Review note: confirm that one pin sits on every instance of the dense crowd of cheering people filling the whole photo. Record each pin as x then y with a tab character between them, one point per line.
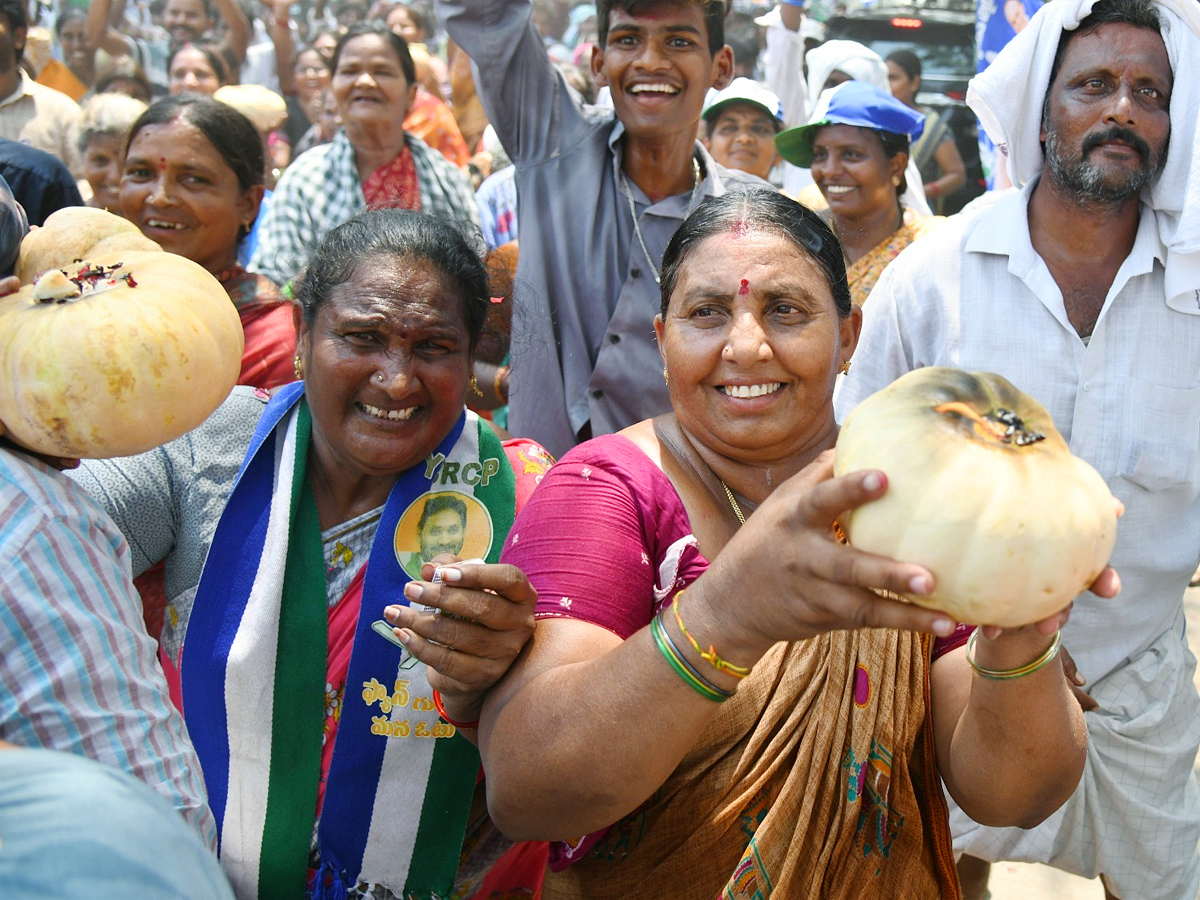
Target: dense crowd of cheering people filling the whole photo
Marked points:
358	635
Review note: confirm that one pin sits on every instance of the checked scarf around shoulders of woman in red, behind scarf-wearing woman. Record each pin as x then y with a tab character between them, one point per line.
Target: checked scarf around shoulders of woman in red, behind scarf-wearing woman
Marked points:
322	189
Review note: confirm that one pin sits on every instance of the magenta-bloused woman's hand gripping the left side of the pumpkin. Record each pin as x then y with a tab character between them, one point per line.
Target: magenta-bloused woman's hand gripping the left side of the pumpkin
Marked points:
793	580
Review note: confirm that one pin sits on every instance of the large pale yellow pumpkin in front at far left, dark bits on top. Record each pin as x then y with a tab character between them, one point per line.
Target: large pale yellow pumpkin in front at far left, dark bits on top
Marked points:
116	356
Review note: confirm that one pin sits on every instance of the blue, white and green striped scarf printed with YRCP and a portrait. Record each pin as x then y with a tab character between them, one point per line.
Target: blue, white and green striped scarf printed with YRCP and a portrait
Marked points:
254	673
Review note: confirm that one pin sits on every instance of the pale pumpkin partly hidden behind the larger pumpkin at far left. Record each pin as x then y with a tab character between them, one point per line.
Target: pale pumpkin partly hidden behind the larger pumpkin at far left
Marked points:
77	233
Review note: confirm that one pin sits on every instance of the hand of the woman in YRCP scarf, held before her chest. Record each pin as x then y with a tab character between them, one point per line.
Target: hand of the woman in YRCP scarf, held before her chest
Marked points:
487	620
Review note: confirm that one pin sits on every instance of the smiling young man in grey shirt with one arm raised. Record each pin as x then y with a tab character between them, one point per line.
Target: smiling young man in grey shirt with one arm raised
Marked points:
602	194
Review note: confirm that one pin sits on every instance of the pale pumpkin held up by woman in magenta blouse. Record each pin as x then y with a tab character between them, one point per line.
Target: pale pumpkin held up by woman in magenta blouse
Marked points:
983	491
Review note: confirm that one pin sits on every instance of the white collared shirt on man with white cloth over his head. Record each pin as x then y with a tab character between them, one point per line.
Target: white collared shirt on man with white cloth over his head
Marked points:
977	297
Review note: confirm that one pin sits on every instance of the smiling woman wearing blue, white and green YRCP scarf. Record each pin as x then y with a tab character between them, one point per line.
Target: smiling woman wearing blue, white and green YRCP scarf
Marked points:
293	634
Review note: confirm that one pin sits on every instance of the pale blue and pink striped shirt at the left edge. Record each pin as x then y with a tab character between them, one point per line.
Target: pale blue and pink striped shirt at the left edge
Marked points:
79	669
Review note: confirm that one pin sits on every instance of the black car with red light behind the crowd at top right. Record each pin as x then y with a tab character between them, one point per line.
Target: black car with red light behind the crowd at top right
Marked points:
944	38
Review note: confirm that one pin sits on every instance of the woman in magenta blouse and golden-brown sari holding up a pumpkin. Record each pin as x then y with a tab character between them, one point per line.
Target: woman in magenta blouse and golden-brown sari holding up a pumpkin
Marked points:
820	775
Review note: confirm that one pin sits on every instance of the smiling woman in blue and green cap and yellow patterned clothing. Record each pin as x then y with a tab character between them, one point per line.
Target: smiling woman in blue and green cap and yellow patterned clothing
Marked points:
857	146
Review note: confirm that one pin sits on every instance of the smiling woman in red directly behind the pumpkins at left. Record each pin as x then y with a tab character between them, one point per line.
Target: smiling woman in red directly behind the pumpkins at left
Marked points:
194	184
